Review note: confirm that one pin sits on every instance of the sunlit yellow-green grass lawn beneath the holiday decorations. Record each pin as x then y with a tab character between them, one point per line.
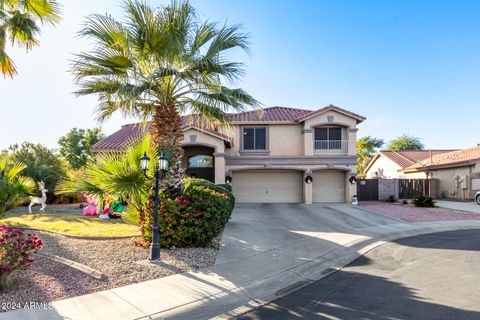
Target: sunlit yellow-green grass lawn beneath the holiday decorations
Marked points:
70	223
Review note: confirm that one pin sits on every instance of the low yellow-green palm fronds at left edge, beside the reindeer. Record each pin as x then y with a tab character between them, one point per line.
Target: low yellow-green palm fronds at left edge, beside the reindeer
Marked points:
14	188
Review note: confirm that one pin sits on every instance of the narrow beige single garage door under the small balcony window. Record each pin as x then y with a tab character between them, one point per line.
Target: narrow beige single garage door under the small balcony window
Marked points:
328	186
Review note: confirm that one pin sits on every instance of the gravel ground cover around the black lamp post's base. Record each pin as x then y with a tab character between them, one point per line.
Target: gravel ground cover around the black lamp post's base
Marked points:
47	281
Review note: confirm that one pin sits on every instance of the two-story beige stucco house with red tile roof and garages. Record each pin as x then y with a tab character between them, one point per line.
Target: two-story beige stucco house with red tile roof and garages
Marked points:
268	154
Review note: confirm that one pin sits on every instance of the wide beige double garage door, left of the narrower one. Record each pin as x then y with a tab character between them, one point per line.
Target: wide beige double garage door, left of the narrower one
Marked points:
267	186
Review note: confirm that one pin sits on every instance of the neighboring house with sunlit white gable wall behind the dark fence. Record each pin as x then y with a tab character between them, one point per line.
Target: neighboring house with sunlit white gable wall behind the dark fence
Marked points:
388	164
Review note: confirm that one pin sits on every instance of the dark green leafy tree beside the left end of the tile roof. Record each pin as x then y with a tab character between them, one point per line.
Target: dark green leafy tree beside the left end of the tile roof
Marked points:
75	145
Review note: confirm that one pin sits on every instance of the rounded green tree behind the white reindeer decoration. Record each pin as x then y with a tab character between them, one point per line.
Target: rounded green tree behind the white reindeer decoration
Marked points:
42	164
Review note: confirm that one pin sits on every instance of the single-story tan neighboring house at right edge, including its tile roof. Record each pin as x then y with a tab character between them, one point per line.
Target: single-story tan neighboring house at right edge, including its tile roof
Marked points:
458	172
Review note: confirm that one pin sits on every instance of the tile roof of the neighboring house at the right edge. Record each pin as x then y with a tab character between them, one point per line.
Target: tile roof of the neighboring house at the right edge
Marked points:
450	159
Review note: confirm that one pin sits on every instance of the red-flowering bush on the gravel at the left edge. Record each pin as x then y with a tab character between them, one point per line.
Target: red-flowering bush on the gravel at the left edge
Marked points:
15	246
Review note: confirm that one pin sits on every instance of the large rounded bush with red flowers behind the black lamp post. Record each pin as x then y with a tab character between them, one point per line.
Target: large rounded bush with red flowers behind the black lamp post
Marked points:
192	219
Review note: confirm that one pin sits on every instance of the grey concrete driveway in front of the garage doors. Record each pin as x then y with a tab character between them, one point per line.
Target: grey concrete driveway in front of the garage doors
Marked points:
260	227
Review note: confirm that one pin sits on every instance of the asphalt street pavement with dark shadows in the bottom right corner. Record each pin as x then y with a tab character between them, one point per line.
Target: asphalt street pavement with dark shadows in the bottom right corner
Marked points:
433	276
